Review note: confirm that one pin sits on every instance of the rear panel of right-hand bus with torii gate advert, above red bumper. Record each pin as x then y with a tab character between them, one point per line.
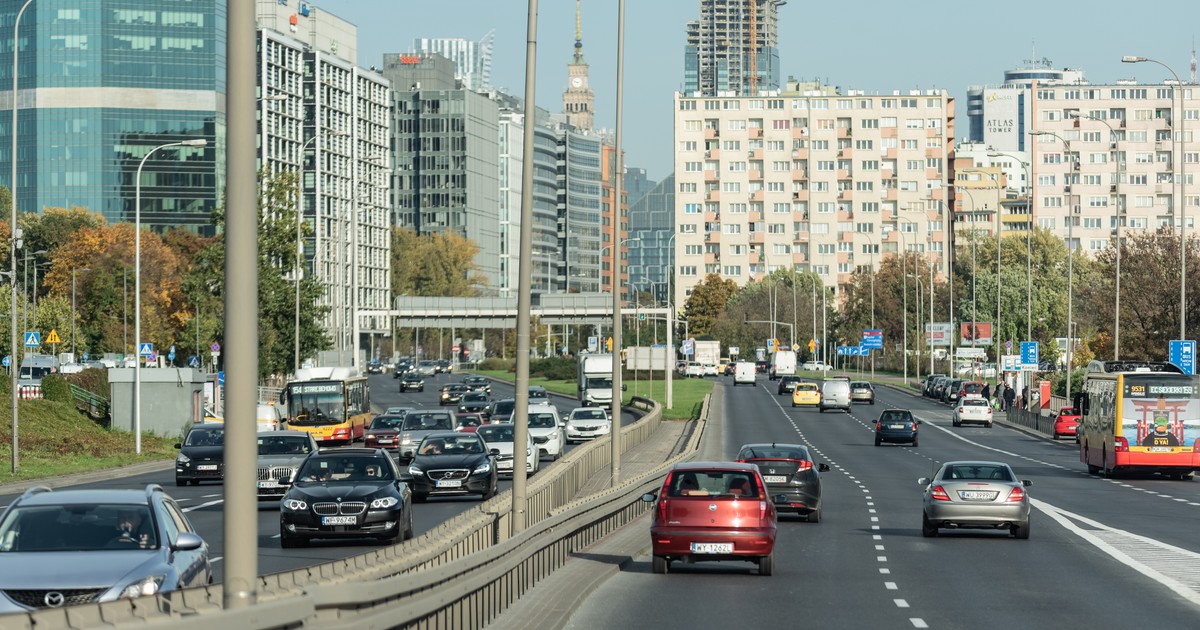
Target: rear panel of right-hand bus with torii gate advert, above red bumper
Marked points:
1161	412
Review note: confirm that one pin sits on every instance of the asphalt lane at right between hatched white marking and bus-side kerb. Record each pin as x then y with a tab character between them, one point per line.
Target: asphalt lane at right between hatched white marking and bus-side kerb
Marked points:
1150	506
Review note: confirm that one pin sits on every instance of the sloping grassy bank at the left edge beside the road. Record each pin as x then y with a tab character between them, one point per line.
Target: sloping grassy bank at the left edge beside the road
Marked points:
57	440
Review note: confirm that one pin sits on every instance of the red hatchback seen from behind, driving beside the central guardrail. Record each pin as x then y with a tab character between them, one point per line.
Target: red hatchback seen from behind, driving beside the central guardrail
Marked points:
713	512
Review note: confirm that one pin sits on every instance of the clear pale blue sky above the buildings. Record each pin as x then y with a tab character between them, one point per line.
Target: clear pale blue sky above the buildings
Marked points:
860	45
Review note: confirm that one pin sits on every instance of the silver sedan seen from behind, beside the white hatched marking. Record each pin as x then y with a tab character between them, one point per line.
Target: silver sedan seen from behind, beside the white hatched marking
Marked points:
976	496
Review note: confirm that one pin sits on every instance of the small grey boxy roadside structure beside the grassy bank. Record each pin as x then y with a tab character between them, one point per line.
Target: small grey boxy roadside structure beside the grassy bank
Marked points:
172	399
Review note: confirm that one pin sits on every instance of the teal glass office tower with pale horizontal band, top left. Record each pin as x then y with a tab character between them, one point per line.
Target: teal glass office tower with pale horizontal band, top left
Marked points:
101	85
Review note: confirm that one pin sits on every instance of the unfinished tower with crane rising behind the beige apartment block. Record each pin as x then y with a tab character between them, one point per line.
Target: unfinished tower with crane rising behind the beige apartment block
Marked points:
733	49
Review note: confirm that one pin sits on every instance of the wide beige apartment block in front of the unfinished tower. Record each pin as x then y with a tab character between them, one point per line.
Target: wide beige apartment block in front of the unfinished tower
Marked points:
809	179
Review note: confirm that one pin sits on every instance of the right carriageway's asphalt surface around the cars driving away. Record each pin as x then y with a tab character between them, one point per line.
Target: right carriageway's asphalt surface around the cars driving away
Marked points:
1103	553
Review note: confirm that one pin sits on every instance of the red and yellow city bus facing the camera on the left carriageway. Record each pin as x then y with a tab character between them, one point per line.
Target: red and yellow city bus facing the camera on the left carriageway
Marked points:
333	404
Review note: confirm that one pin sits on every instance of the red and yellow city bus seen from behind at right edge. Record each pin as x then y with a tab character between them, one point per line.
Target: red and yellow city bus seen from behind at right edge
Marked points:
1139	417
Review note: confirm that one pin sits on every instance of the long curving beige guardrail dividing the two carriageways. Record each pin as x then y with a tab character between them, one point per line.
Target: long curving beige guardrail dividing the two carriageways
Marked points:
463	574
